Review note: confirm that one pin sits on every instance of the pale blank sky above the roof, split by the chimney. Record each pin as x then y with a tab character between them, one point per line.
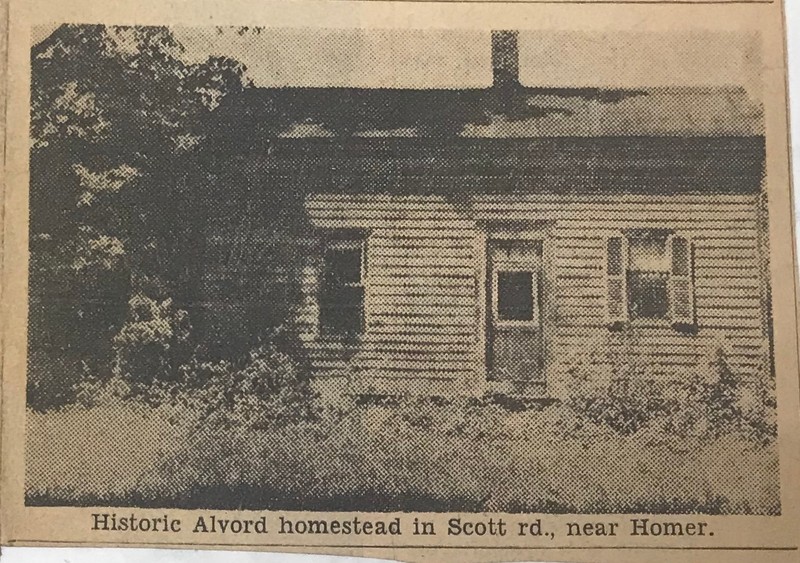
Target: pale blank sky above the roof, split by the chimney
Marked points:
461	58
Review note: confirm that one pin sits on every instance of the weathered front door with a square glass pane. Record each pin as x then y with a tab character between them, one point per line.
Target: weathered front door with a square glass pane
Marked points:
515	344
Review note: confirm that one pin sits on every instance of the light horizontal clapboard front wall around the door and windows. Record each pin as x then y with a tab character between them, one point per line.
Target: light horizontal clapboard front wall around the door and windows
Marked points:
425	300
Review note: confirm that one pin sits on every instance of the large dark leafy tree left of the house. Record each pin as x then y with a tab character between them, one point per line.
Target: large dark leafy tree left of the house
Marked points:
117	118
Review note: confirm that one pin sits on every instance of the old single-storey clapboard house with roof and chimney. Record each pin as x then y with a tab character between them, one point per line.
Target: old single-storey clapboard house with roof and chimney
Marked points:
446	242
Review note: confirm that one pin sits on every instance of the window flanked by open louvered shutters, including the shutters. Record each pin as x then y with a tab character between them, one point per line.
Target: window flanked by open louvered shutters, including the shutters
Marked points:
649	277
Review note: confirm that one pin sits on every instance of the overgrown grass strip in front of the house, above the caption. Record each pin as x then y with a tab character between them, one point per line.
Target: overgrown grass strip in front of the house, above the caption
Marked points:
419	455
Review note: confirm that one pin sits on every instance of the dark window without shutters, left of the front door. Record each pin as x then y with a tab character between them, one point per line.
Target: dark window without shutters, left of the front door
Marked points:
341	300
